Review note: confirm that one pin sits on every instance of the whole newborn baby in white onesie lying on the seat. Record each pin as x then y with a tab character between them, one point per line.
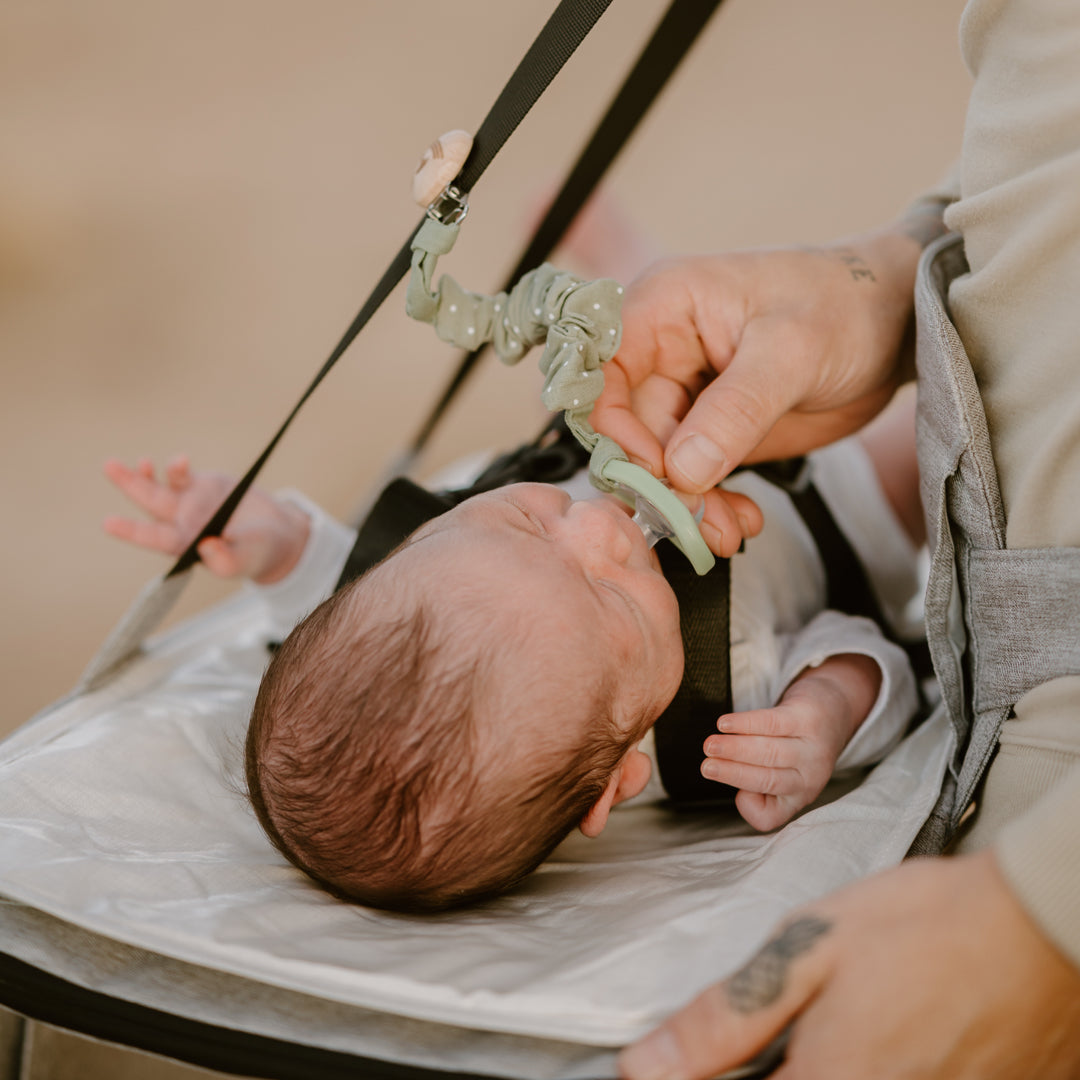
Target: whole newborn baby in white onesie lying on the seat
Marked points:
430	733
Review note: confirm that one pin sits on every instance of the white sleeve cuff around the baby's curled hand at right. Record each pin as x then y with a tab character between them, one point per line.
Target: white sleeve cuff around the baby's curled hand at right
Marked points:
832	634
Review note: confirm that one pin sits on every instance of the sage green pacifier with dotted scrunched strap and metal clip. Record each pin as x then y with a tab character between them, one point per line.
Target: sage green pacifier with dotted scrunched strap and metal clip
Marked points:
579	326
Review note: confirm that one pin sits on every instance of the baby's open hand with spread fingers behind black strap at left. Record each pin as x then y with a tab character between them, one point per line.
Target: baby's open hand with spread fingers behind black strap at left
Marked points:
264	541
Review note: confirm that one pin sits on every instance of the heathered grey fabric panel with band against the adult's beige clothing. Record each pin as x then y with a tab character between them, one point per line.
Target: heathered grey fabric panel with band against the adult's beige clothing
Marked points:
998	622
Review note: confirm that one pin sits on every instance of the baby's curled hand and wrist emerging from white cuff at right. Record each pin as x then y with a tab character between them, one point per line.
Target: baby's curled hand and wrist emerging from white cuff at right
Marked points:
781	759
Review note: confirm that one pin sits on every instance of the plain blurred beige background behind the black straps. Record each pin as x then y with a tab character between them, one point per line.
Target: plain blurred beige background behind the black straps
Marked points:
195	199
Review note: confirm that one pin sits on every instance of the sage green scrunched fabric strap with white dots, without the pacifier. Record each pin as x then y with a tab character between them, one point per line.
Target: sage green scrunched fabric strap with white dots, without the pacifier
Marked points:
577	321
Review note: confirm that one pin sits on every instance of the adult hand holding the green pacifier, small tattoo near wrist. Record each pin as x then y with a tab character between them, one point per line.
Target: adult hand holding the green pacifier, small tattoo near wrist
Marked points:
758	356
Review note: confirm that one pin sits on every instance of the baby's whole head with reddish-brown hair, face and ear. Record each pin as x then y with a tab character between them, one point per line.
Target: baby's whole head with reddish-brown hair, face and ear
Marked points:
430	734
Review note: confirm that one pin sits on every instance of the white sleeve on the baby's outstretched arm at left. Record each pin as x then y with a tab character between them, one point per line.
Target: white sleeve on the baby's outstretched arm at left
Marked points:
317	573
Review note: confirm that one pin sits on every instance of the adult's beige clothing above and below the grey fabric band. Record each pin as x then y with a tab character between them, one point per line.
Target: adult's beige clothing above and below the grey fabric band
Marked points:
1019	316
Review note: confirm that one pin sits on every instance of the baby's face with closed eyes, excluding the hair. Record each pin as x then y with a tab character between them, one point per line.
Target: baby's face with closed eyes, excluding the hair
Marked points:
573	584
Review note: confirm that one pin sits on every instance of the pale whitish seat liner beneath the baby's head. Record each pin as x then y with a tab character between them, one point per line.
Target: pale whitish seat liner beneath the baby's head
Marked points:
125	818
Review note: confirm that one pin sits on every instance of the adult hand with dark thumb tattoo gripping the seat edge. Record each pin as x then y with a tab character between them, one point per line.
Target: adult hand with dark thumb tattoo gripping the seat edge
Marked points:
930	971
